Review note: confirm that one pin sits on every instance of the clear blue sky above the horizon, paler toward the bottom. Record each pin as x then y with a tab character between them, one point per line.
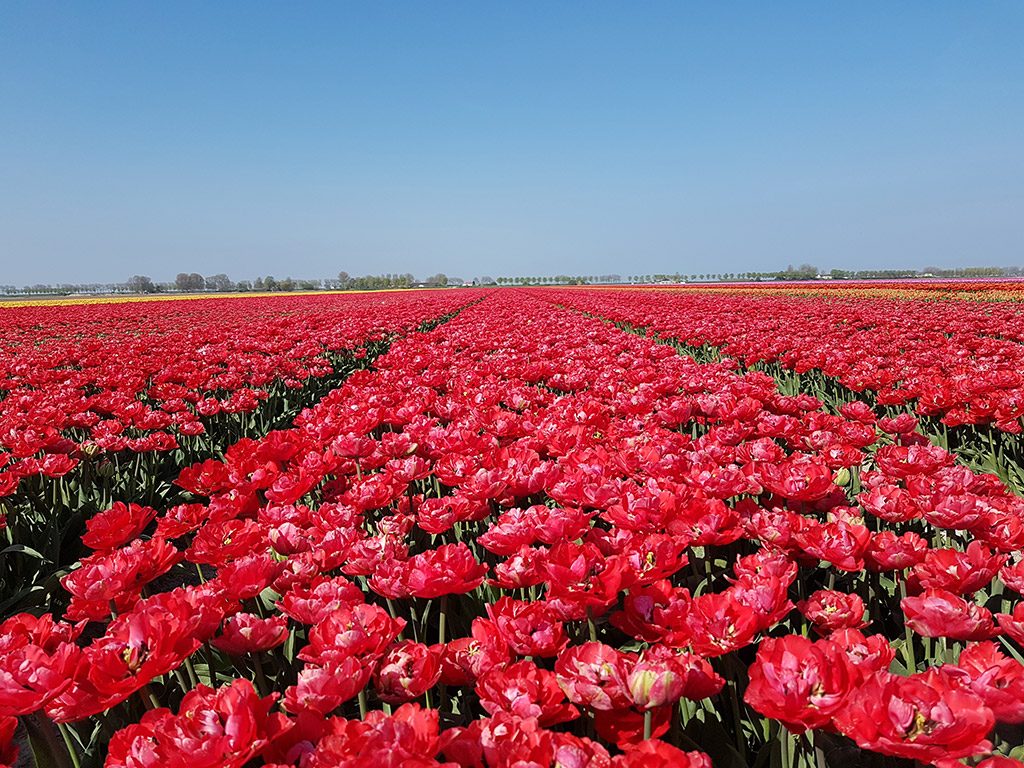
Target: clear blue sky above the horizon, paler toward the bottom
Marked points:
507	139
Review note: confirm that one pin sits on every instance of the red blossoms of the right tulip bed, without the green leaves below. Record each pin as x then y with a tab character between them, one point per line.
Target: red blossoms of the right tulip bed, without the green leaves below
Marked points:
960	362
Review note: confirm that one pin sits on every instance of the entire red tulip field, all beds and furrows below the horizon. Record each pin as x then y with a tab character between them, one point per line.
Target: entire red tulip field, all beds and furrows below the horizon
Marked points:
516	529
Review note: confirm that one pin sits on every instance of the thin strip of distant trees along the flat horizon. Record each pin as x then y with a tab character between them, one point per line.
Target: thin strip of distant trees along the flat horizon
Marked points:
196	283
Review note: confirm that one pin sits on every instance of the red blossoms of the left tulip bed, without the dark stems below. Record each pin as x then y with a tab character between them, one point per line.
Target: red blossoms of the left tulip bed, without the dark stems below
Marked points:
140	376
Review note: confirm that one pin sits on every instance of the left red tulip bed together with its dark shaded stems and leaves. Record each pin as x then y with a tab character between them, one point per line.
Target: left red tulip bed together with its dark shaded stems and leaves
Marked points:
107	403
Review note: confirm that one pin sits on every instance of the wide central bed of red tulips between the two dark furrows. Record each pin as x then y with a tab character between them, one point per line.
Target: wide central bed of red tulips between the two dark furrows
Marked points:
528	538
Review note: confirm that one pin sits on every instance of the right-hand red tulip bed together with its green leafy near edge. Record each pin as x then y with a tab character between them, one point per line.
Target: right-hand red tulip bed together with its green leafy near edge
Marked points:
988	446
